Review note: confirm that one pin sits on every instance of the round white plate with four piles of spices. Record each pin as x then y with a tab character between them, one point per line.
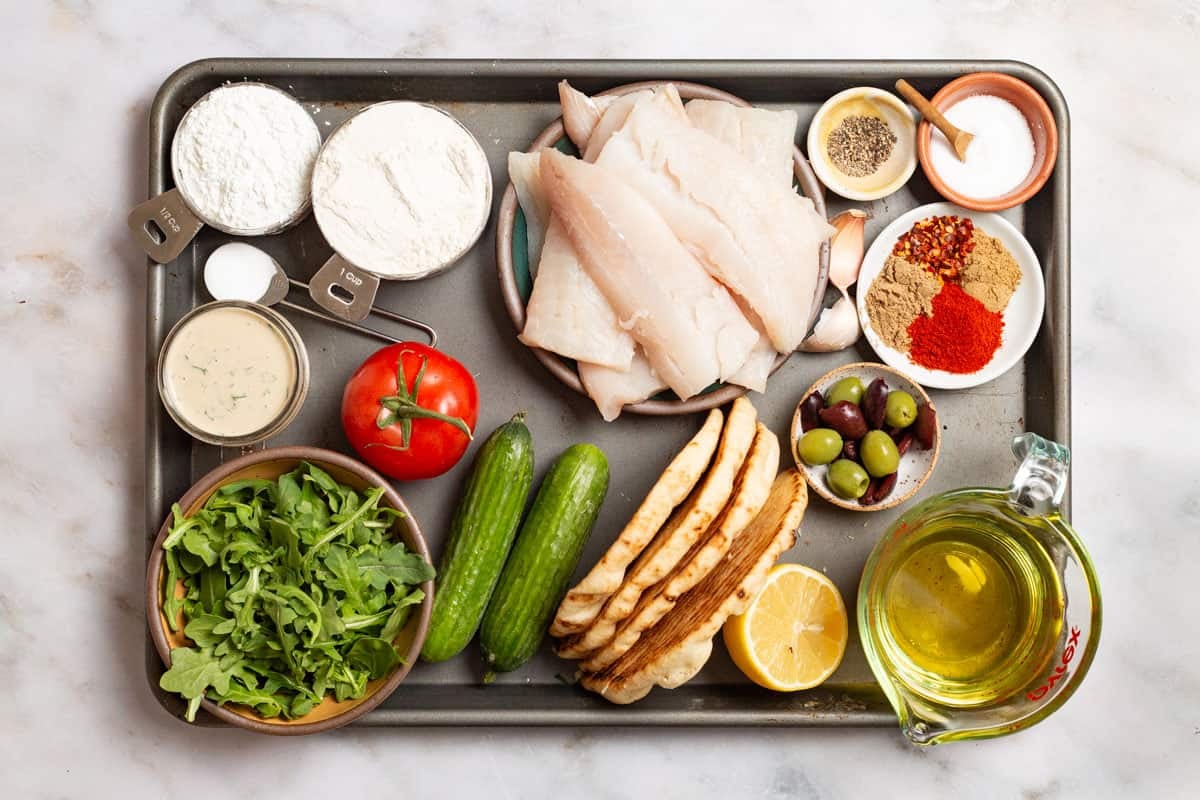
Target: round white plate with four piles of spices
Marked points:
953	298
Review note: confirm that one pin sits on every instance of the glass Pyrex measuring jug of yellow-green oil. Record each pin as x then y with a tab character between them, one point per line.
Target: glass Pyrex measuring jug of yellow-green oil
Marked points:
980	610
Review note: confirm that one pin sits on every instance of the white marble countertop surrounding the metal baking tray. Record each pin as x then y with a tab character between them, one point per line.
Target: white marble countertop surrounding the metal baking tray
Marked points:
77	85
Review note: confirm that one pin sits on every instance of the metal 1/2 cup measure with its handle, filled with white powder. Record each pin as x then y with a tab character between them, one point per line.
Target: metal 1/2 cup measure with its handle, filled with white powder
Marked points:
242	160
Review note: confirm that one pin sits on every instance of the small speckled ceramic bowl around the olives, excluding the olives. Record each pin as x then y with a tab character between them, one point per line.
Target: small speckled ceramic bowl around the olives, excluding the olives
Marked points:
916	466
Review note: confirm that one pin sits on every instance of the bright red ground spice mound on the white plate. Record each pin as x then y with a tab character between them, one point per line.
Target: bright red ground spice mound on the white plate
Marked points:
961	336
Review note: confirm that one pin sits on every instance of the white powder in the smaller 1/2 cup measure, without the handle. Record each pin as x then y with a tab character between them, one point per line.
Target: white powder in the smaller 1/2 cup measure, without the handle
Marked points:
244	157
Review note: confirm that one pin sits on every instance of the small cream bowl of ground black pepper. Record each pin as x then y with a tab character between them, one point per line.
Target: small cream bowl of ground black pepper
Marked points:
862	143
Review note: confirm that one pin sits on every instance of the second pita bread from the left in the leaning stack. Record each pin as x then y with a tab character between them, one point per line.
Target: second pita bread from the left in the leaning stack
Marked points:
679	537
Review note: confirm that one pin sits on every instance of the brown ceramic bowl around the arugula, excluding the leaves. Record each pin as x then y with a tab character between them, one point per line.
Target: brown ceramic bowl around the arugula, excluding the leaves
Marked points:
271	465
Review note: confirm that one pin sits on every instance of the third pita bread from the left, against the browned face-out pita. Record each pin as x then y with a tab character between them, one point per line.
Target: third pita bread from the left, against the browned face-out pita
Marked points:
751	495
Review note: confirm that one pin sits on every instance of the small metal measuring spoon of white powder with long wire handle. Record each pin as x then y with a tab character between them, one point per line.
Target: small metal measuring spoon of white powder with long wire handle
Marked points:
242	272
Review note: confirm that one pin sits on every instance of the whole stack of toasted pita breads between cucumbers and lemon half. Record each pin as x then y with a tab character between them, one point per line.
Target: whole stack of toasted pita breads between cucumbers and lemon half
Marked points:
695	552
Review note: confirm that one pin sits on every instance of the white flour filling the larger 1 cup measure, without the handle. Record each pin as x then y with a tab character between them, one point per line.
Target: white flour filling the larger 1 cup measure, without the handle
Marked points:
401	190
